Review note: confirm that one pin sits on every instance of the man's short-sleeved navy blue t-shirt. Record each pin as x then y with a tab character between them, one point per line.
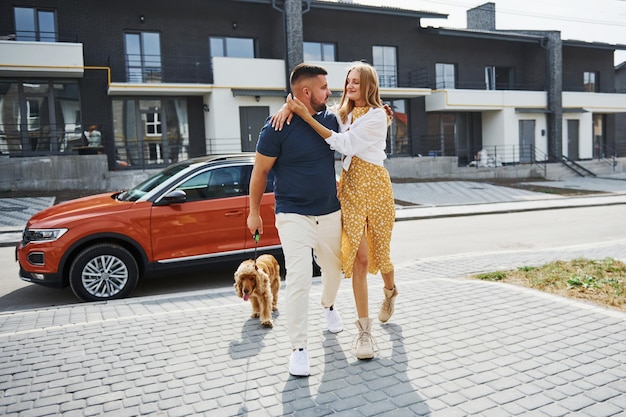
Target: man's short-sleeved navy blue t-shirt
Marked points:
304	171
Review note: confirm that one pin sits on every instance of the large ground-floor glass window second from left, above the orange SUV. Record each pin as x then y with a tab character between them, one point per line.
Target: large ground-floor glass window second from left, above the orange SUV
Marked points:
150	131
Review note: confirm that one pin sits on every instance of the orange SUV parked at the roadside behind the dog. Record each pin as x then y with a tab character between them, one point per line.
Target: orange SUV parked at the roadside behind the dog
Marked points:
189	215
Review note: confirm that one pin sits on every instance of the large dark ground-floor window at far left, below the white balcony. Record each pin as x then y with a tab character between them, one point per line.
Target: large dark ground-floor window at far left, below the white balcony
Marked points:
39	117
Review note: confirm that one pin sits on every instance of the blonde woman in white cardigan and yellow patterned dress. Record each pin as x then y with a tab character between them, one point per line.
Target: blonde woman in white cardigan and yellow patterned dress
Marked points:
365	193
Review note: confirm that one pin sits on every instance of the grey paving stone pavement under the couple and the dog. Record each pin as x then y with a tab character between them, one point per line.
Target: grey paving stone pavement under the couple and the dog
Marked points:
454	347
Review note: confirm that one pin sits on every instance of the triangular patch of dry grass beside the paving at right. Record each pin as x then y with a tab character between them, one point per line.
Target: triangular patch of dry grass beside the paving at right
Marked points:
602	282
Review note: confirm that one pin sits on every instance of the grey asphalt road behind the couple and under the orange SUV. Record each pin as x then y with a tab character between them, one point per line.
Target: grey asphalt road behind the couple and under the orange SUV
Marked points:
416	239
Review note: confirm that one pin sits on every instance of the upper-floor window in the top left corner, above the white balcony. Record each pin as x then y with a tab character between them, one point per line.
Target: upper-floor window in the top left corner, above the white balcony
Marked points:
35	25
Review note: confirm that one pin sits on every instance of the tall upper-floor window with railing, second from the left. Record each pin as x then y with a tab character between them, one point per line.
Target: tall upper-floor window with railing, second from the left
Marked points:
143	57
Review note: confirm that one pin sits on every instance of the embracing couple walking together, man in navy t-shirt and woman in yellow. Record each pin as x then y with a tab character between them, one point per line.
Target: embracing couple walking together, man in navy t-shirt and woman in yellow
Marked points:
309	210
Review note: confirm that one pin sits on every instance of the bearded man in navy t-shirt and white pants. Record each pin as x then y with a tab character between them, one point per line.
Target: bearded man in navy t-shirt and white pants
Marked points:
308	215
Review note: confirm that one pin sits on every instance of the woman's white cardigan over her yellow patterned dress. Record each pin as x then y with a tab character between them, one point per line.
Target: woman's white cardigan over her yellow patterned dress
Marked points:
365	138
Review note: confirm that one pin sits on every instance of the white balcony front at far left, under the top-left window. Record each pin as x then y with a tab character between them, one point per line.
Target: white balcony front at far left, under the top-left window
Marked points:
41	59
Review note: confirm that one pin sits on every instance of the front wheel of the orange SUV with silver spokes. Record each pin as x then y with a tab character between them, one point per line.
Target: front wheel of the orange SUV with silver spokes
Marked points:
103	272
